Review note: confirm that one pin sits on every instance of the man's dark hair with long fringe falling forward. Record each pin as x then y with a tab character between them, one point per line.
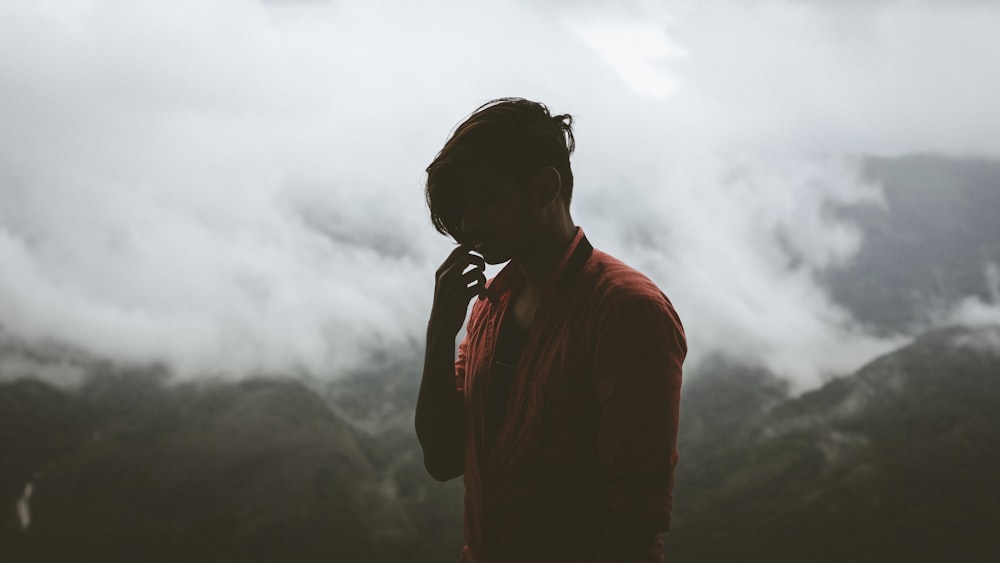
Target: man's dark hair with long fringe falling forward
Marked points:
508	138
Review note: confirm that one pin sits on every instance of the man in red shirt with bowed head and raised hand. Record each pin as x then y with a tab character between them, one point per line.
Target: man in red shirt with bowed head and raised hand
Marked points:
561	410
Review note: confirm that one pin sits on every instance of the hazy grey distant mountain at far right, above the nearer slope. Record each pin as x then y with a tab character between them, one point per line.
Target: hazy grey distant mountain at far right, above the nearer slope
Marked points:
929	247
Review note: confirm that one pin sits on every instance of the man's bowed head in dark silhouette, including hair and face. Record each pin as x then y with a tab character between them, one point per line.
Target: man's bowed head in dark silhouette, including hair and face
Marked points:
500	173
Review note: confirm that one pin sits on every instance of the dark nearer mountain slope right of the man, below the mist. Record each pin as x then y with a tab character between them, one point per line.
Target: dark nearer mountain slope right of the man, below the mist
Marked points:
897	462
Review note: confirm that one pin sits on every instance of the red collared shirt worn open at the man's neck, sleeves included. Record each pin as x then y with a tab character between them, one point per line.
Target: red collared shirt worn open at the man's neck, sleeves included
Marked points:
583	463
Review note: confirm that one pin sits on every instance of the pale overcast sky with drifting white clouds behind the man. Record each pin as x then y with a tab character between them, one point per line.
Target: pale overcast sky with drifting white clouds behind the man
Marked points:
236	186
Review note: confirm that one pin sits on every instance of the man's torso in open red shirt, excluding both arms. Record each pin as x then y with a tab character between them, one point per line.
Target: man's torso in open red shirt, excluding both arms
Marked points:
547	475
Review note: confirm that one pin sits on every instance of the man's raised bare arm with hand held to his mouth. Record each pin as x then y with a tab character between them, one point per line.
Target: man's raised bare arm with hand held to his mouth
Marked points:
439	418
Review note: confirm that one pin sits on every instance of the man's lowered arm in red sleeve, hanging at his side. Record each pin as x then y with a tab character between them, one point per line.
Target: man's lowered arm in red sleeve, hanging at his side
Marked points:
639	358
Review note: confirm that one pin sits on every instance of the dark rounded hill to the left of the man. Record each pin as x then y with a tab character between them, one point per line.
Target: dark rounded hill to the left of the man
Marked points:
129	469
